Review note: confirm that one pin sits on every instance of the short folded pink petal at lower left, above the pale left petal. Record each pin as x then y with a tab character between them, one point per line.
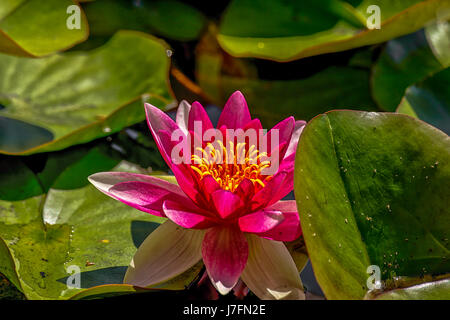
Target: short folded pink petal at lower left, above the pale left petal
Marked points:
187	216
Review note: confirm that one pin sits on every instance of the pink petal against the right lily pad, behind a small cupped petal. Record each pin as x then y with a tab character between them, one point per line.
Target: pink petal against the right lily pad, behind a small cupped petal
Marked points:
289	229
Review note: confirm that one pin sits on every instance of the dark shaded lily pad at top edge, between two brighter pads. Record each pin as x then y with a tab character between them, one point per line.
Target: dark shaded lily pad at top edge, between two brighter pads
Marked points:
171	19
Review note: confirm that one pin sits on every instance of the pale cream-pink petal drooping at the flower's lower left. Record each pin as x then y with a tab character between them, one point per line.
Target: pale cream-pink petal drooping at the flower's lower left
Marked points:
165	253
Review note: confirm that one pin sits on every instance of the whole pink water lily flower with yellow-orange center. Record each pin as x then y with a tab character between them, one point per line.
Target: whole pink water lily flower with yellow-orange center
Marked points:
226	208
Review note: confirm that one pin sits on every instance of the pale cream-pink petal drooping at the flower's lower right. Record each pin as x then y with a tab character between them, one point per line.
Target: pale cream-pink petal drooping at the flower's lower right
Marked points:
270	272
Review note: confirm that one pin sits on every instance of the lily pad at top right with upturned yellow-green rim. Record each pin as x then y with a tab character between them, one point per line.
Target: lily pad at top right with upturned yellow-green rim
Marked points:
290	30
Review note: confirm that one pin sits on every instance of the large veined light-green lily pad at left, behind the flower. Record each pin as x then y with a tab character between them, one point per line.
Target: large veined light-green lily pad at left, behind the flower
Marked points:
72	98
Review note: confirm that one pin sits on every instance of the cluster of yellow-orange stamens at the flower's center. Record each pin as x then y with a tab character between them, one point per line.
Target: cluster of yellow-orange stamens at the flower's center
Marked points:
230	166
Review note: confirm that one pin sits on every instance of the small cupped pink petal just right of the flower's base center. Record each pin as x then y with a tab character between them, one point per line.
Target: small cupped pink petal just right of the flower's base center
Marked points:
261	221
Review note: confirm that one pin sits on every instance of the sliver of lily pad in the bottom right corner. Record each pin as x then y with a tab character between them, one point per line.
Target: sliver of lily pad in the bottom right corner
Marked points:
437	290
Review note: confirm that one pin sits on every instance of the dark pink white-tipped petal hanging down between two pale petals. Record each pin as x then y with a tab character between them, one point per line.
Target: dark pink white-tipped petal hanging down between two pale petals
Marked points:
225	253
